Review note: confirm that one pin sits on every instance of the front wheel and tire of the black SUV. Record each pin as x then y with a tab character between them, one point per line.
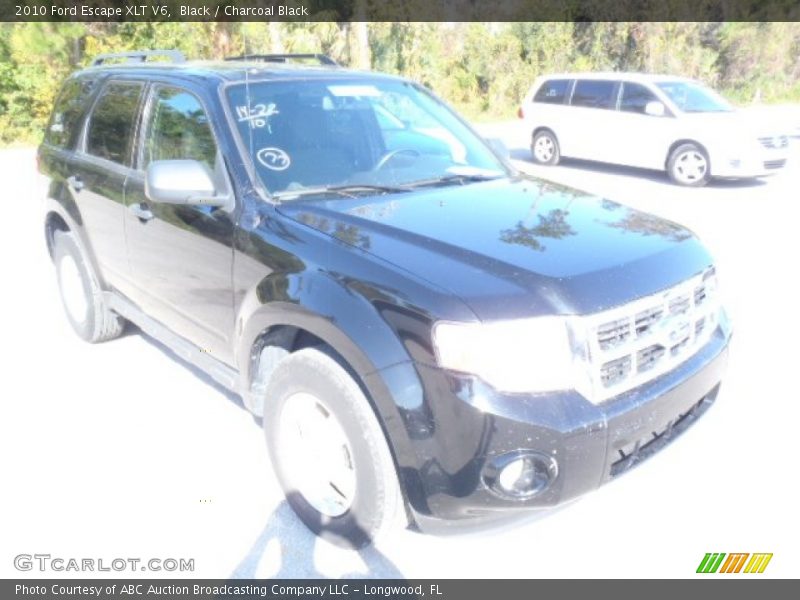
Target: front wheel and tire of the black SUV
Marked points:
305	390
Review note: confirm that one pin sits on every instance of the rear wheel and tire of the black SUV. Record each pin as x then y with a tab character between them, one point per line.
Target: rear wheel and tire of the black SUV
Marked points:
81	295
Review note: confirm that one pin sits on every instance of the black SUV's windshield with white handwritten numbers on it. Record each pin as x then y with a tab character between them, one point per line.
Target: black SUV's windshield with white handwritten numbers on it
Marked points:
346	137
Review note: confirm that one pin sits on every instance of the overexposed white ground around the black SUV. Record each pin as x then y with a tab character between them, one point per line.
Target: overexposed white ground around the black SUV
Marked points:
122	451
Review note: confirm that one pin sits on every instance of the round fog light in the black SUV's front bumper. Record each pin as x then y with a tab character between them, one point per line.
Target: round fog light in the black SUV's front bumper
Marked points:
520	475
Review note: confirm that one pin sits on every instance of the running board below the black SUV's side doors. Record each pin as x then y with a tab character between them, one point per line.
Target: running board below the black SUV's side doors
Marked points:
226	376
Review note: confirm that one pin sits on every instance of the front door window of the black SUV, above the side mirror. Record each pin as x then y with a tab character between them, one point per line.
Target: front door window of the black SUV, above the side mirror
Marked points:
179	129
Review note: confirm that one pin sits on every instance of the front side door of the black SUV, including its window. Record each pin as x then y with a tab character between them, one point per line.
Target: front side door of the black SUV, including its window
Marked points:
181	256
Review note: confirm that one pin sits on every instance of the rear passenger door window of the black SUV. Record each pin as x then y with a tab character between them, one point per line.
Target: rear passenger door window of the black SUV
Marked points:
111	124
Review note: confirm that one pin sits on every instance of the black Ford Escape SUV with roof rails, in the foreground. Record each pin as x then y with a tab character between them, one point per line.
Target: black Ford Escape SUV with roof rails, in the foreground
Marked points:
430	336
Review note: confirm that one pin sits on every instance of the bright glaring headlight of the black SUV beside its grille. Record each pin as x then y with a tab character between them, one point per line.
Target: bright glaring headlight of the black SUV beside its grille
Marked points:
525	355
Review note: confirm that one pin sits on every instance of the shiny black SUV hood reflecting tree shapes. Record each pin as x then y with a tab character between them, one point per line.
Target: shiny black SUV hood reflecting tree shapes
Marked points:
514	248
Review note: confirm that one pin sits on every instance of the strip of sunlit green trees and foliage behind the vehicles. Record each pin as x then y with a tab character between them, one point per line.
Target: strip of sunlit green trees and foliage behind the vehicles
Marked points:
482	68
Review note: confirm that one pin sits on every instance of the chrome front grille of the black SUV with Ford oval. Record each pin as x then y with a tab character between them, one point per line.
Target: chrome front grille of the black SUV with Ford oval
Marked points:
635	343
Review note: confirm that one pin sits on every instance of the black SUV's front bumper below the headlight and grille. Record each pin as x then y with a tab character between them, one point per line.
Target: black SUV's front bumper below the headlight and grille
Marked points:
460	427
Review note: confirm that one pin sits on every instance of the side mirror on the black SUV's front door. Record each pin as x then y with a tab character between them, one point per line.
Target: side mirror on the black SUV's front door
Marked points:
181	182
